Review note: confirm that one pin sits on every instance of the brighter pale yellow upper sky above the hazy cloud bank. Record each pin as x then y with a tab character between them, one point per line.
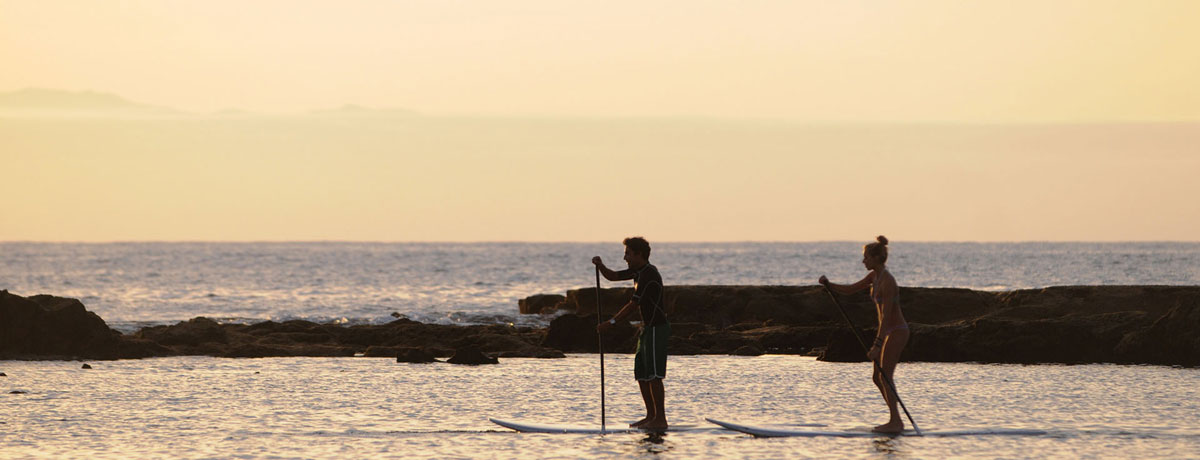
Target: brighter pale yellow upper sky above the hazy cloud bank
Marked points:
975	62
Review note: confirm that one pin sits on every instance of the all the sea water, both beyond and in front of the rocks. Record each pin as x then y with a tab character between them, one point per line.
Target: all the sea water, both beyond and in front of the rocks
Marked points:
374	408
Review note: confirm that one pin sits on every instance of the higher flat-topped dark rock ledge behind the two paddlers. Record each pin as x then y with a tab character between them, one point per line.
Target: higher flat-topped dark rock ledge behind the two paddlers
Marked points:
1071	325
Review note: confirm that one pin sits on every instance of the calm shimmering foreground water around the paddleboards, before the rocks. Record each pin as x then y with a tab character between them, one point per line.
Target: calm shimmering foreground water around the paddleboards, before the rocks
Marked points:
358	408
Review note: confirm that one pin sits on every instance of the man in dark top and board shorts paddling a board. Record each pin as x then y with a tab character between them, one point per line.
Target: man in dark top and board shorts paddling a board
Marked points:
651	362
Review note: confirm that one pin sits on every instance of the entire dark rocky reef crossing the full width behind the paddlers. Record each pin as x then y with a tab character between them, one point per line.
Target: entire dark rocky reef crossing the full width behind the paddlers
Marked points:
1073	325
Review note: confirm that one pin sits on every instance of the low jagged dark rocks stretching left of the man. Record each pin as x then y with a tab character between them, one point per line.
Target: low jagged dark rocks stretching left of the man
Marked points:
46	327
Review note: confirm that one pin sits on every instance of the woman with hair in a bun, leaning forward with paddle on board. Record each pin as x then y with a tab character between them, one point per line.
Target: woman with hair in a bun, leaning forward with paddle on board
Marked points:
893	332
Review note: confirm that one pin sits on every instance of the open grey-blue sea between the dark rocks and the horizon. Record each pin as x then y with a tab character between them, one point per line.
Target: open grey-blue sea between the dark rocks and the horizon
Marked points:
137	284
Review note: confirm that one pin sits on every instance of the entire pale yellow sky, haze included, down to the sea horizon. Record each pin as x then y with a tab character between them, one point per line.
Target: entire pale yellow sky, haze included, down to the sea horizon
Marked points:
593	121
